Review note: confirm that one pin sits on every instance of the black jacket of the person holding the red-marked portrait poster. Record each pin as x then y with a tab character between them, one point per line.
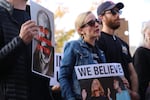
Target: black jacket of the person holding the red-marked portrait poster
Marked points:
17	82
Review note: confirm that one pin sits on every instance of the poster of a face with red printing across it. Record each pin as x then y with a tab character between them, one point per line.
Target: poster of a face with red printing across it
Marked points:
43	43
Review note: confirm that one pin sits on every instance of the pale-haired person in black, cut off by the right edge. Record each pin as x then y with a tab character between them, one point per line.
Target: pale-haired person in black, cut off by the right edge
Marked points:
142	60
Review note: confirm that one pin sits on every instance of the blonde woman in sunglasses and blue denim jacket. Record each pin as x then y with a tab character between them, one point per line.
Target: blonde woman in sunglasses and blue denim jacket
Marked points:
80	52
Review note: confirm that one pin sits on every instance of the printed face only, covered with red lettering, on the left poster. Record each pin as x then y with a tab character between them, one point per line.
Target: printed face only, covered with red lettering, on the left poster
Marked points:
44	33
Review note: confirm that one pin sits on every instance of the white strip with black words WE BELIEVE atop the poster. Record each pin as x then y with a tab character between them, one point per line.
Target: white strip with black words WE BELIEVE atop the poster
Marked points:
99	70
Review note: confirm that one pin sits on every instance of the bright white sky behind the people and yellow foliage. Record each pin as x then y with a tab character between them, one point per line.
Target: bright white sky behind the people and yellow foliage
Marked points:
135	11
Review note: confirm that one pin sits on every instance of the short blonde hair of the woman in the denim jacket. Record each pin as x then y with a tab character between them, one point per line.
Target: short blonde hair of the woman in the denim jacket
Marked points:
80	20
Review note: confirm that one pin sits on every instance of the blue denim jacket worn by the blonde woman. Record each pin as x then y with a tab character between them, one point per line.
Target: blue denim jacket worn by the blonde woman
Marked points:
75	53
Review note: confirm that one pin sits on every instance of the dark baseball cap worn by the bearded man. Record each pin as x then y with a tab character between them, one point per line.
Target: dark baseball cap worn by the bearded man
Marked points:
107	6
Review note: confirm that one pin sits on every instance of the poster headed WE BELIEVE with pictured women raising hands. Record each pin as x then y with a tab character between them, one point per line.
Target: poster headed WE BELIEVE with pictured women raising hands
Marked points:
105	79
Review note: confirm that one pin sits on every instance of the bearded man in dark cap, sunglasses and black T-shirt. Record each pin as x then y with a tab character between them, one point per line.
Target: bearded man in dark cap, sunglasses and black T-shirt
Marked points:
116	50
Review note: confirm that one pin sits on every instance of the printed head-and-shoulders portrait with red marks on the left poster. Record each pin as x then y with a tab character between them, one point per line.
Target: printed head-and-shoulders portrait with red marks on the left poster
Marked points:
44	52
